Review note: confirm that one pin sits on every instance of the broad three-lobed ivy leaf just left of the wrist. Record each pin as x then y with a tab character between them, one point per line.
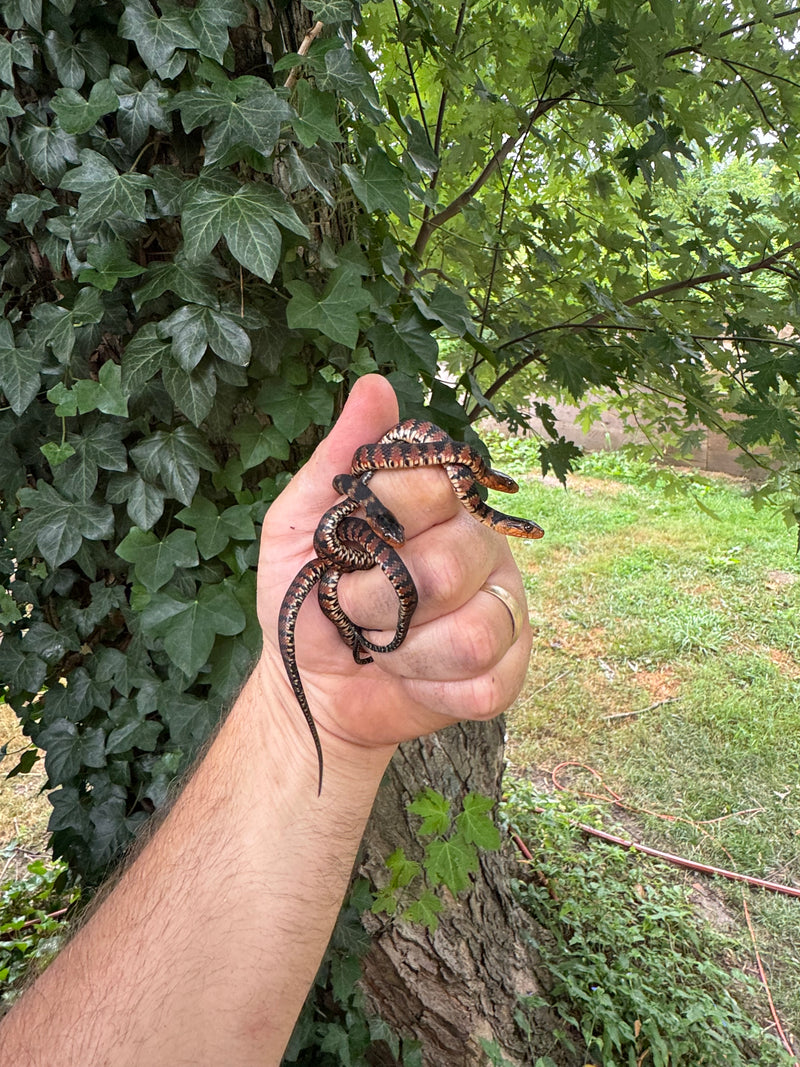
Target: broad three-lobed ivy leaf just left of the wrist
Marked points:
189	629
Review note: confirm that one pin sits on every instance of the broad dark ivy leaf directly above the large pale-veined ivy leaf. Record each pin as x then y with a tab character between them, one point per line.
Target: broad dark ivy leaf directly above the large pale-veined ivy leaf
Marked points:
242	113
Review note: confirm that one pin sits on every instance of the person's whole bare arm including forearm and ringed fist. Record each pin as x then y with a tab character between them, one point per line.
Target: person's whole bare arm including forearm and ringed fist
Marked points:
205	949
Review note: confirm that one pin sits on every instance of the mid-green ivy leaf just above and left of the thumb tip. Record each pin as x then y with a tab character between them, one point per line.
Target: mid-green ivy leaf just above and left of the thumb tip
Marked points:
335	313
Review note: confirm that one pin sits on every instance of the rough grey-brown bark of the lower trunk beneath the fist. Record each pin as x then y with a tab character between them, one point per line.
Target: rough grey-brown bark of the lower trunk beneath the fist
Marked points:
465	982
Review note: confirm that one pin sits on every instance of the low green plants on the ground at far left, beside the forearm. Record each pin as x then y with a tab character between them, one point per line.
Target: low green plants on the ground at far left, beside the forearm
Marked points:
30	929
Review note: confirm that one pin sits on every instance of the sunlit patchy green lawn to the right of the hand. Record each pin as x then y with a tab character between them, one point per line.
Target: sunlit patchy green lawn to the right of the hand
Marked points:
669	597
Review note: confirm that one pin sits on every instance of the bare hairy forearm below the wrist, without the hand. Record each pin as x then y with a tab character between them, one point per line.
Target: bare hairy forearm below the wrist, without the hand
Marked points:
207	947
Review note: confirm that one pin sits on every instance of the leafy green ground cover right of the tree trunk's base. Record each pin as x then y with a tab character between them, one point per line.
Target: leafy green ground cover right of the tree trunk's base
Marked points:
635	972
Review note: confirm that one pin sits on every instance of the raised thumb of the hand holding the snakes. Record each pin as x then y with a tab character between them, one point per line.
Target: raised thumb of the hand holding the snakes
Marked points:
371	410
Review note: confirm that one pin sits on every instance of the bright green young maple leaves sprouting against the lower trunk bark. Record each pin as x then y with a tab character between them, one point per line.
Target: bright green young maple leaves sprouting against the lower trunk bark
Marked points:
450	858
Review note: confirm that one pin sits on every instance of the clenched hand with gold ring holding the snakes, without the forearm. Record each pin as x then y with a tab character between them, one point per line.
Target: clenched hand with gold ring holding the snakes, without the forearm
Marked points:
458	661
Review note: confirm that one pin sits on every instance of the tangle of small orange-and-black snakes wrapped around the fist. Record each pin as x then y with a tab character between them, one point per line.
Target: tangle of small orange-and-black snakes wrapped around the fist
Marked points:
345	544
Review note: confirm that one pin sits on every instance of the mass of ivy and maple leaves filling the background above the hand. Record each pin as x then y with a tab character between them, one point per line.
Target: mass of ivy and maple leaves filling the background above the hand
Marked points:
217	215
